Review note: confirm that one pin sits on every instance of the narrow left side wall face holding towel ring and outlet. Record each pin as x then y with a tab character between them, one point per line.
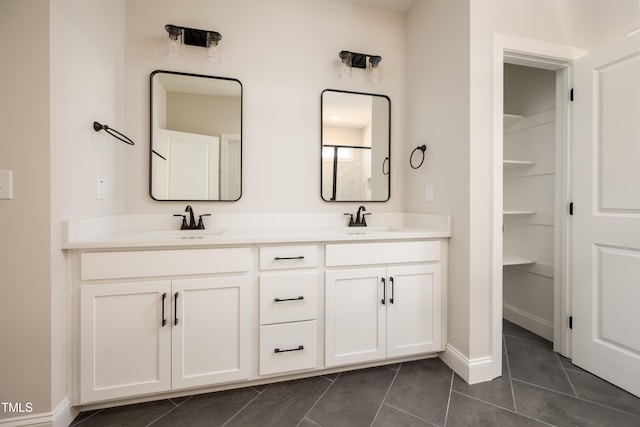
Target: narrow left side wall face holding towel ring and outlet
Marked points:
87	85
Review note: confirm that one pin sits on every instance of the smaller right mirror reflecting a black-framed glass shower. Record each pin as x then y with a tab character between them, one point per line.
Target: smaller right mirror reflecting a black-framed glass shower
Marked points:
355	146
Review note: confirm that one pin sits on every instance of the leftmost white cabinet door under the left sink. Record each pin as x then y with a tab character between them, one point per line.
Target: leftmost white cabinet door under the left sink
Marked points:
125	344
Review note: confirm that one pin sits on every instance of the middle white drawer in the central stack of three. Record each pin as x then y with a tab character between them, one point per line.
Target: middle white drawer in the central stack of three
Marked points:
288	298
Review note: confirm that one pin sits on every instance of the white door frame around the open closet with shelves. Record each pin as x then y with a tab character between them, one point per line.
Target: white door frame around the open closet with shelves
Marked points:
549	56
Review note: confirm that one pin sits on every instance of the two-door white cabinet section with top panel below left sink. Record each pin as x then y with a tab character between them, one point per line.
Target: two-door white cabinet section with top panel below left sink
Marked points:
159	335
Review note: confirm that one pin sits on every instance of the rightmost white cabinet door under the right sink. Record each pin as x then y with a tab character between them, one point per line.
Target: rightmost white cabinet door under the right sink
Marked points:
414	310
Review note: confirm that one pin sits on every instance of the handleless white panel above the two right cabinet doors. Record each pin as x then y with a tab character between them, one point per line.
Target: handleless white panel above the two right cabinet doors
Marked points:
382	253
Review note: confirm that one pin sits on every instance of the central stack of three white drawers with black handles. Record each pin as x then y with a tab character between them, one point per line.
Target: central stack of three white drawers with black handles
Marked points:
288	308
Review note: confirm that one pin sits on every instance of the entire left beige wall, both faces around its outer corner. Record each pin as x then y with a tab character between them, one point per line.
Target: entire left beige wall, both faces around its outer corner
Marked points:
63	70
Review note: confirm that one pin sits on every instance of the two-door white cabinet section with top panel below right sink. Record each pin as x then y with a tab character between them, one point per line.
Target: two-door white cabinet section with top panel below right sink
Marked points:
384	300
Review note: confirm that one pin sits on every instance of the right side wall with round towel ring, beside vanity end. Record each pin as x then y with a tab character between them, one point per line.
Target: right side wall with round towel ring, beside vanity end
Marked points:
437	87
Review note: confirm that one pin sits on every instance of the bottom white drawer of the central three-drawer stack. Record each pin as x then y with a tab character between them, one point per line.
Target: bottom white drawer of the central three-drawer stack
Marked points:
288	347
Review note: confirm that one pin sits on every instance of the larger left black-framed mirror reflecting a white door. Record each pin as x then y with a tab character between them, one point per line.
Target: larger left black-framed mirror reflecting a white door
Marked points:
196	137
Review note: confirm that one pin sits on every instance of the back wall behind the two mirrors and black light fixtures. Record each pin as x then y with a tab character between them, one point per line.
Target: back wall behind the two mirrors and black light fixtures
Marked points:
285	53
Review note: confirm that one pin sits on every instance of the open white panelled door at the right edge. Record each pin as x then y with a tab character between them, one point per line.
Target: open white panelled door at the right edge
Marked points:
606	222
